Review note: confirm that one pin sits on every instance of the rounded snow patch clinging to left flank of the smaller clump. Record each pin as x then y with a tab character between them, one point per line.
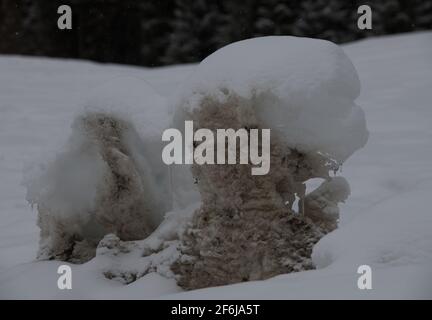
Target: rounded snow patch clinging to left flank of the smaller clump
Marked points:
68	182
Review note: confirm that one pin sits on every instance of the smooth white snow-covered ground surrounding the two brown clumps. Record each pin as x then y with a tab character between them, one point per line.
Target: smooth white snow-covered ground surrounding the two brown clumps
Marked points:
386	223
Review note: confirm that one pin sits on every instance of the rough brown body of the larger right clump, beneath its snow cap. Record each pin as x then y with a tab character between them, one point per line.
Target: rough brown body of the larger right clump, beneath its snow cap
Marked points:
246	229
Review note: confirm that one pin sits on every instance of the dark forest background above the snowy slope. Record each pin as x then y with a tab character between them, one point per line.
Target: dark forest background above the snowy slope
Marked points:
154	33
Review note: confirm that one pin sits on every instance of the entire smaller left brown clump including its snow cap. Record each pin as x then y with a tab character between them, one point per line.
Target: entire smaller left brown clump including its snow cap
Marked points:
104	181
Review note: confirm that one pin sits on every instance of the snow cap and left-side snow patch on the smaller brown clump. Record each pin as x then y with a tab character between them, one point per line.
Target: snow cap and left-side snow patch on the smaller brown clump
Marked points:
128	99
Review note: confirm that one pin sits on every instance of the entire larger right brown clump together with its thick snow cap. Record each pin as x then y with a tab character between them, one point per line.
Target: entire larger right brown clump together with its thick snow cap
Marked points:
246	229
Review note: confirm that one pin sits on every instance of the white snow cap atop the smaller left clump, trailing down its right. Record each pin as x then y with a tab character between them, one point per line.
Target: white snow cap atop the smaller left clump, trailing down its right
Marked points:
137	101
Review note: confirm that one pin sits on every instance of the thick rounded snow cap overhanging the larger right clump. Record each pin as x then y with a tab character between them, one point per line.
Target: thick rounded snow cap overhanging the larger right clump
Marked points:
303	89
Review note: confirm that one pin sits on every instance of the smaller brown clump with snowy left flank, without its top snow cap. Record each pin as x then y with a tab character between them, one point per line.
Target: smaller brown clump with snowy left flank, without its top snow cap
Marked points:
95	186
